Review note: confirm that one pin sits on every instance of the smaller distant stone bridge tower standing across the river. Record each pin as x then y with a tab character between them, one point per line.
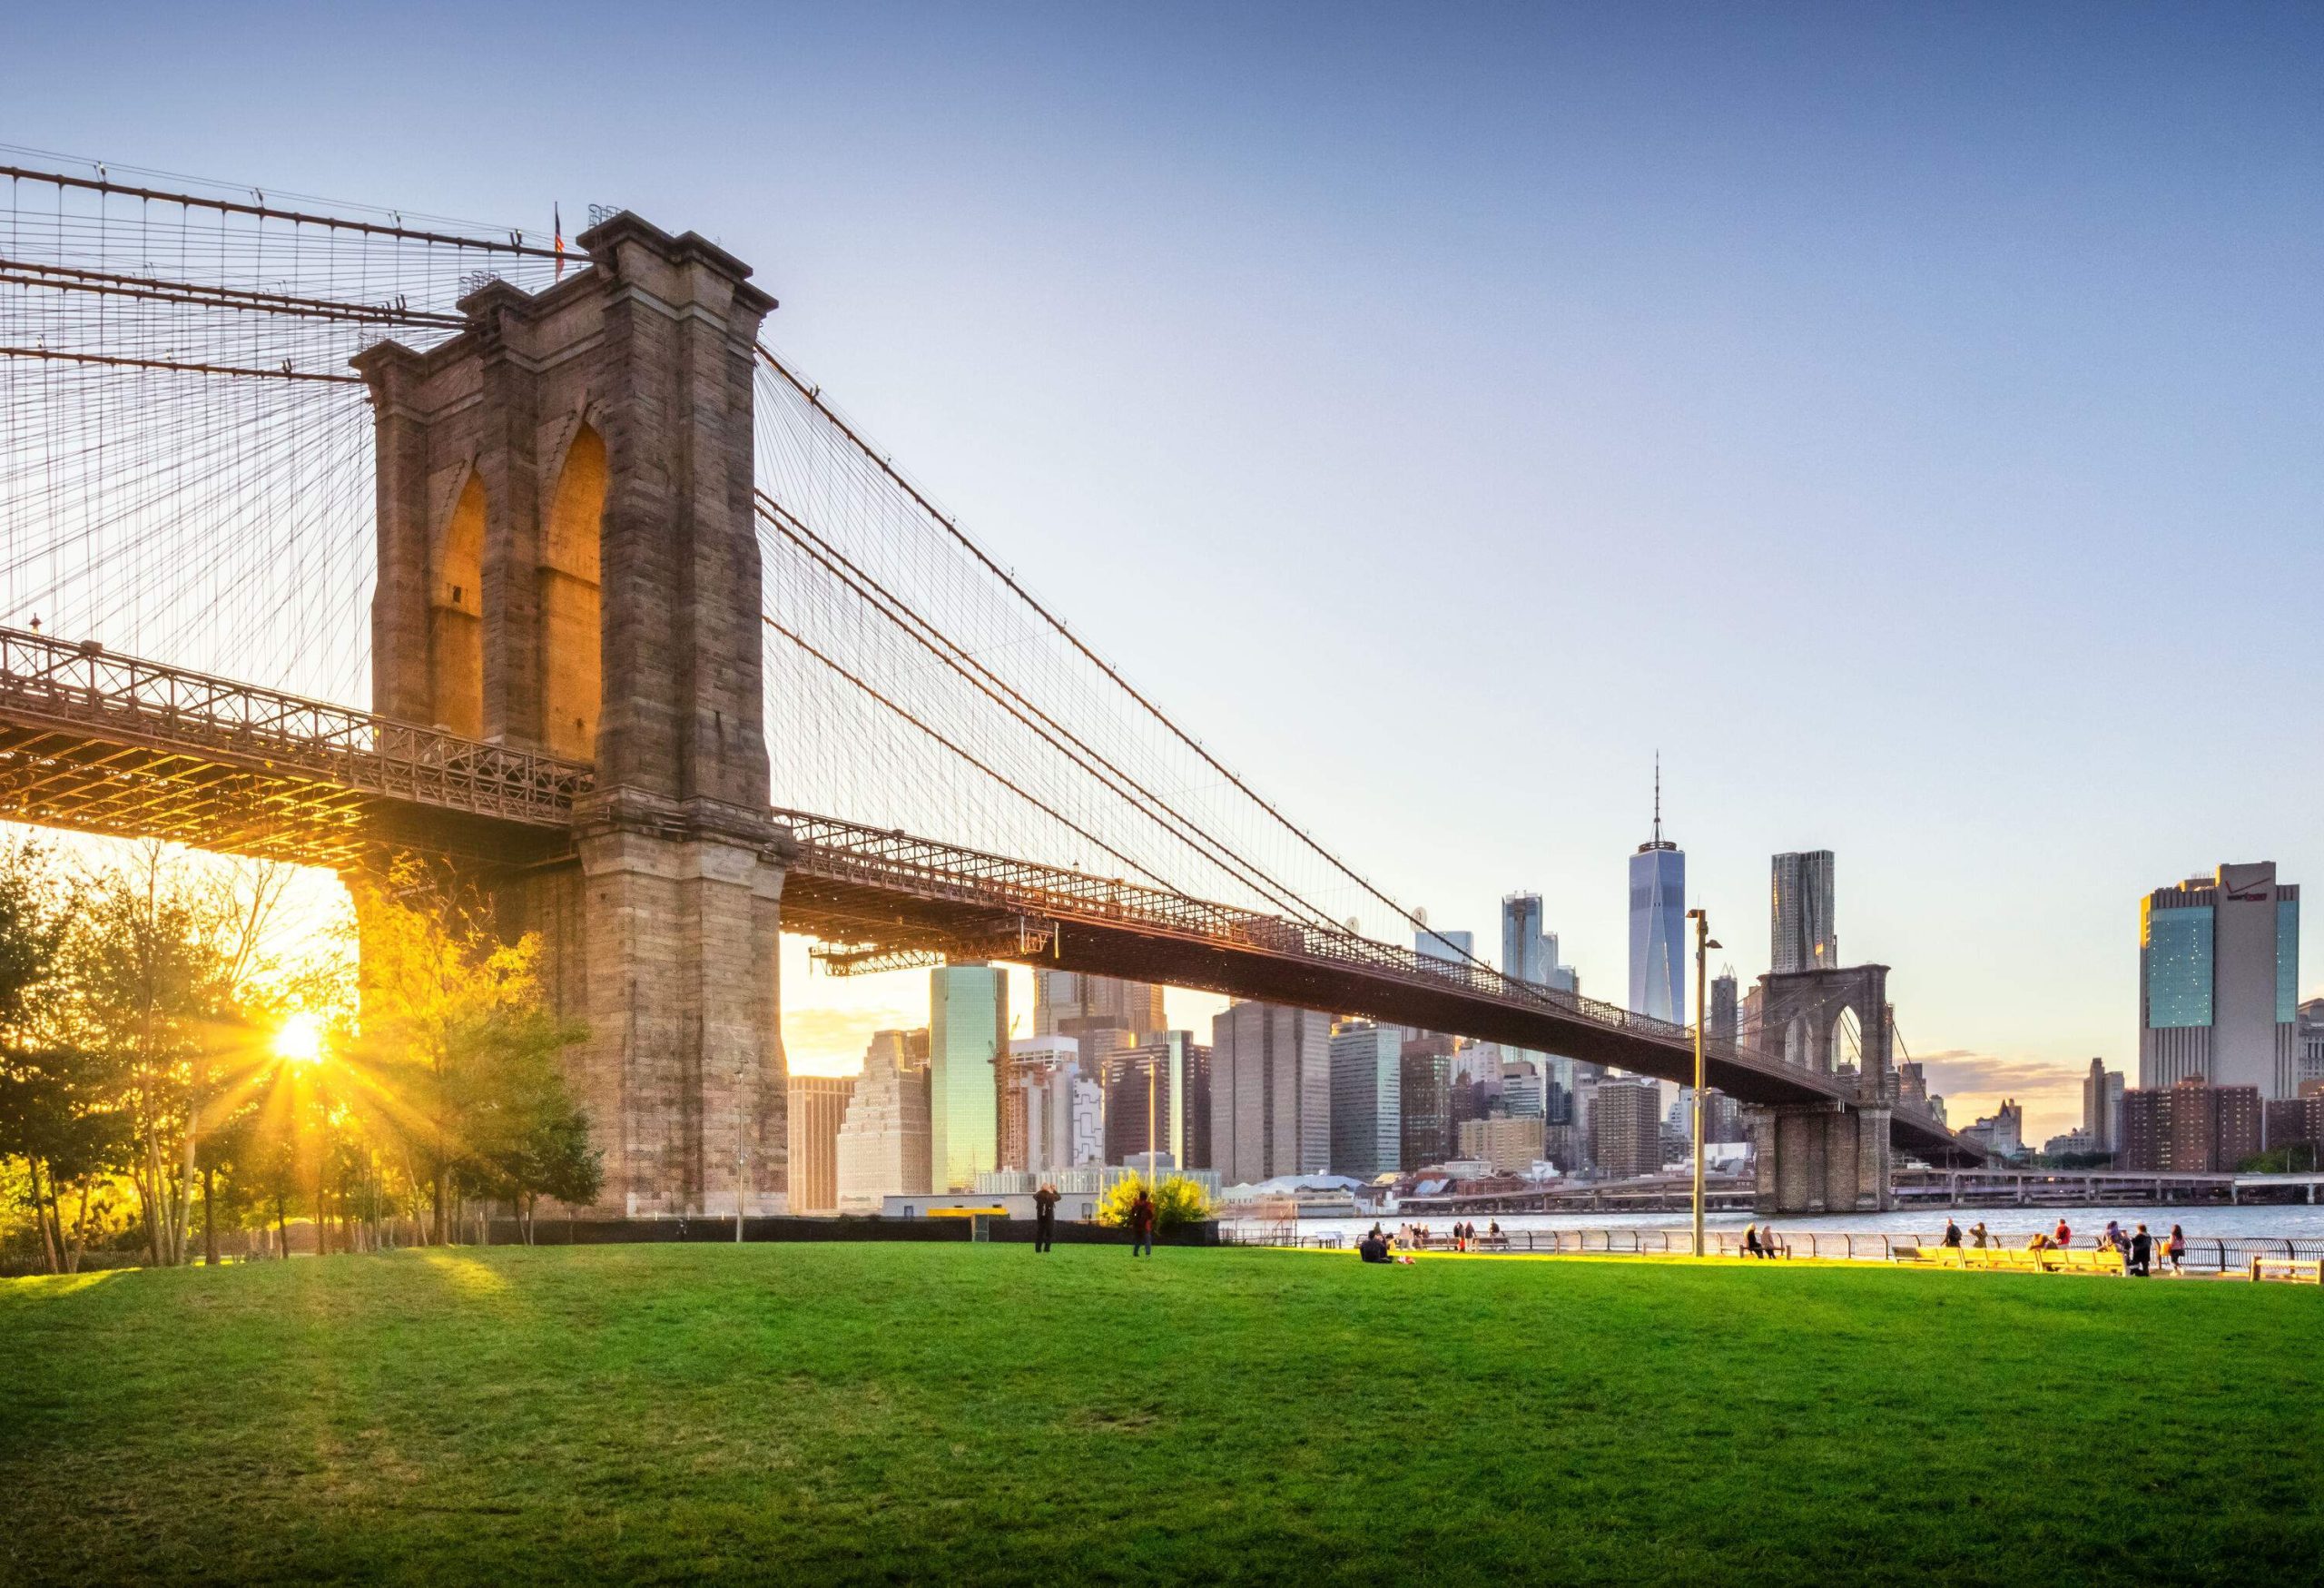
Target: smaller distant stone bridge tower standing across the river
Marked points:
1826	1159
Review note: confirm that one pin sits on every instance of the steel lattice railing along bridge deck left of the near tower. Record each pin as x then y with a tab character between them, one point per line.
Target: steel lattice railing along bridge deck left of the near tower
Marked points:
83	689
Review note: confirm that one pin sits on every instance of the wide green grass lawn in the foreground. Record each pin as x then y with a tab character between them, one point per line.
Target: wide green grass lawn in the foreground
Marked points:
956	1415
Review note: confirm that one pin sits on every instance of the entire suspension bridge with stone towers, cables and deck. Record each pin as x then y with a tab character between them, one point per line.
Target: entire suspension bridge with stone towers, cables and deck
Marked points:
661	652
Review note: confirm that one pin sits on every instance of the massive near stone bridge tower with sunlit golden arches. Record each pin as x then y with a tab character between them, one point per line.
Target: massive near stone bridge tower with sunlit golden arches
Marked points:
568	561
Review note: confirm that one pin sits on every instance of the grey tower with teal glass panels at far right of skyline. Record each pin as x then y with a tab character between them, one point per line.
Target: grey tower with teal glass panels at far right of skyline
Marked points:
2218	982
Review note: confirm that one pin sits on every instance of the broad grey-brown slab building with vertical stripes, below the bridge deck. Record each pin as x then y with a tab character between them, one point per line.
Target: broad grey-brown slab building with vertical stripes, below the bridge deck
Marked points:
1270	1094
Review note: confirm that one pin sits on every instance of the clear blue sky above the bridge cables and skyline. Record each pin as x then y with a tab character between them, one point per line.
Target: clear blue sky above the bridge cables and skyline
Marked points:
1902	417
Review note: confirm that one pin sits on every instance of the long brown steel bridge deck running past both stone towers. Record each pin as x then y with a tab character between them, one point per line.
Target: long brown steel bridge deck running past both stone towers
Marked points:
103	743
